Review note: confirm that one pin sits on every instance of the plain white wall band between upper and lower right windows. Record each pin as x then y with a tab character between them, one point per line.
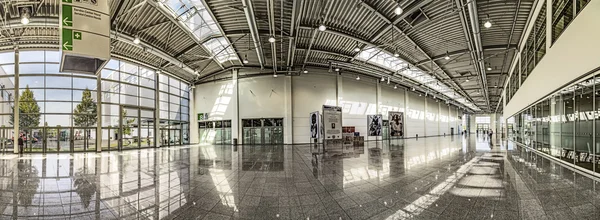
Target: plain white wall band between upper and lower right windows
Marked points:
572	56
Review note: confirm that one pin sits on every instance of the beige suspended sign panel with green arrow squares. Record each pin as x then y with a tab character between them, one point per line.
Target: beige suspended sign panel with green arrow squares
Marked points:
85	35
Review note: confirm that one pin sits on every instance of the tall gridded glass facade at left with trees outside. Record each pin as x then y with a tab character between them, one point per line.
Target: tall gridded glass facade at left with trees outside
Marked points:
58	110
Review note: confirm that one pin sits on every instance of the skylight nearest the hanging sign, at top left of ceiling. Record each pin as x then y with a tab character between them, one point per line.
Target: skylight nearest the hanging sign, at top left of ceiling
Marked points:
196	17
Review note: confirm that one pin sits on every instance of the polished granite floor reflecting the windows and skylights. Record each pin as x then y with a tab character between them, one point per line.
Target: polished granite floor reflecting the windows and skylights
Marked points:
429	178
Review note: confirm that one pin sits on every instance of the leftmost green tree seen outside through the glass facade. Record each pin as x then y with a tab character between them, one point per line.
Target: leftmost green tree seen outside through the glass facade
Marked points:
29	114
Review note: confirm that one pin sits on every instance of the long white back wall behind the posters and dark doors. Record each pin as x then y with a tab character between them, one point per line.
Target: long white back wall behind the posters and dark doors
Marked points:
295	97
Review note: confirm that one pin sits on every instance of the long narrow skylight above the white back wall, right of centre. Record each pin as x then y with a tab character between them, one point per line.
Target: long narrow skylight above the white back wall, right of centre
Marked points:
386	60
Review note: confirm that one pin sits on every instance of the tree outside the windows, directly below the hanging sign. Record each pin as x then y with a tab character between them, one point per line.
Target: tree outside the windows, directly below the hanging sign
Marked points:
85	115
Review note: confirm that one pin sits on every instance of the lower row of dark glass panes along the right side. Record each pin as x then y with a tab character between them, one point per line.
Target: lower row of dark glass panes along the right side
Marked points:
564	125
